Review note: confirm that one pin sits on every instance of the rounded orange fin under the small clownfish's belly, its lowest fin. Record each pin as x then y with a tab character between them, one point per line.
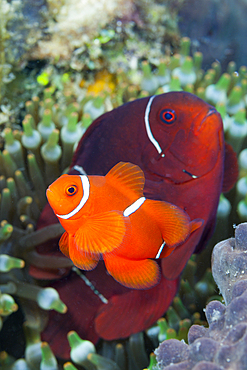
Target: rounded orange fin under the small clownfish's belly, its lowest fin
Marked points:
137	274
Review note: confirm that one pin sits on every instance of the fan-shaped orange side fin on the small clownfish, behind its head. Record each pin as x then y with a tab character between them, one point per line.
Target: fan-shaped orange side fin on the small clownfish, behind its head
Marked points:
101	233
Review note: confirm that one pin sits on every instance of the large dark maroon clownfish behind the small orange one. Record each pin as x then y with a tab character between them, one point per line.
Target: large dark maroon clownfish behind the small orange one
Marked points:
177	140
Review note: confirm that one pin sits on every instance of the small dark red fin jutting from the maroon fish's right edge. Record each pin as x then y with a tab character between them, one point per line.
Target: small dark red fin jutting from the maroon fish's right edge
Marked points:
230	168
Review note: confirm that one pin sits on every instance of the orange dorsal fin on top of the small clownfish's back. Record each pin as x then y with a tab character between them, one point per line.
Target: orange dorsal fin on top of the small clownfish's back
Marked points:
127	175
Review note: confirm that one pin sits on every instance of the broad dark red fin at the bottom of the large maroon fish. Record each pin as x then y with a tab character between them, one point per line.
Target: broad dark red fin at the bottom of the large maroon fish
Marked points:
114	321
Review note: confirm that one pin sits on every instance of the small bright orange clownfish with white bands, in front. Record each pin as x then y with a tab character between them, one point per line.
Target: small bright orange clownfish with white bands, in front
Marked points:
108	216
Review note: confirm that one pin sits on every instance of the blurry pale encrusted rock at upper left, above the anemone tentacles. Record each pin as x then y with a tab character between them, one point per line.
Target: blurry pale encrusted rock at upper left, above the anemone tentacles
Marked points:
77	36
